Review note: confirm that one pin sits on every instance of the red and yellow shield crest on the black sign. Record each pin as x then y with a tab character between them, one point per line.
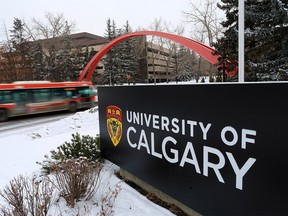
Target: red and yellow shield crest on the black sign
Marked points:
114	123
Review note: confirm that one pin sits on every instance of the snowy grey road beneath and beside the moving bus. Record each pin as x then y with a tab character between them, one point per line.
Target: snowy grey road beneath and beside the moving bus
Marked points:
29	123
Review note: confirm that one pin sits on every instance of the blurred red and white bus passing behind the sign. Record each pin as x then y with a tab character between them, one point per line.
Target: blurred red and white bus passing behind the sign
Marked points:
31	97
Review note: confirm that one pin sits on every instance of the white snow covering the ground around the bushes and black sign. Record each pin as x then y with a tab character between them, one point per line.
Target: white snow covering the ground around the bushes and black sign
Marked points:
19	154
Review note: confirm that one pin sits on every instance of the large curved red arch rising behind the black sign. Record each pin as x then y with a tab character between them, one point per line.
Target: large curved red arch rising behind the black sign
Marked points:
201	49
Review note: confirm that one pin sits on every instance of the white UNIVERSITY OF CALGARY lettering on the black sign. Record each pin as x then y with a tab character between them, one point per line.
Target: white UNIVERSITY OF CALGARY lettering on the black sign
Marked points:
140	140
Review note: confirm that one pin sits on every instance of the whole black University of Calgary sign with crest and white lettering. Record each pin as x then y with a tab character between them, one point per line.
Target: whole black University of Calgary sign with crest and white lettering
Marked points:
220	149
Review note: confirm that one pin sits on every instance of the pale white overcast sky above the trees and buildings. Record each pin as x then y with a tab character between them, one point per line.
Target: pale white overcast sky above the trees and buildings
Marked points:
91	15
